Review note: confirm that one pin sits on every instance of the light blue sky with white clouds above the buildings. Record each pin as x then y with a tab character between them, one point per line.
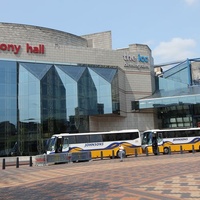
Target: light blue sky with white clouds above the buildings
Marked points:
171	28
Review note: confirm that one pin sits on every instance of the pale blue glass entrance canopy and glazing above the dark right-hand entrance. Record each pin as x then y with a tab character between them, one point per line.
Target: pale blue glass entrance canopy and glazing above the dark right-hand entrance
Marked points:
178	85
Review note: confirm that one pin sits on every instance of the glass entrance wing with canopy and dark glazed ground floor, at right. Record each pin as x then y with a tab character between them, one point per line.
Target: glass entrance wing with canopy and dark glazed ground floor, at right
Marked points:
177	96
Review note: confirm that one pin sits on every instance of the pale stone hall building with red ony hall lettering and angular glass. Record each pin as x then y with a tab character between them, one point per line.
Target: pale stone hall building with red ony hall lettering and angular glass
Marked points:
54	82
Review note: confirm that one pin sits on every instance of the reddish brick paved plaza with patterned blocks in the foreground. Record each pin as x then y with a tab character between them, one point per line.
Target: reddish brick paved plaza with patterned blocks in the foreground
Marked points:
167	177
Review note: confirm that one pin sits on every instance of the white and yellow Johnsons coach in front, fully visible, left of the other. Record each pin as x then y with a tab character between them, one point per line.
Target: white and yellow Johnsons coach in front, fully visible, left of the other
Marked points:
98	143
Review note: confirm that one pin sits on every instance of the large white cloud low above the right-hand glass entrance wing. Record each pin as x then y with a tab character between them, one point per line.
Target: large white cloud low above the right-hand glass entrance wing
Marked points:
174	50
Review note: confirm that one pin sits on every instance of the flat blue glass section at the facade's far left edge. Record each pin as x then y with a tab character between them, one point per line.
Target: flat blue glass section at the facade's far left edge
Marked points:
8	109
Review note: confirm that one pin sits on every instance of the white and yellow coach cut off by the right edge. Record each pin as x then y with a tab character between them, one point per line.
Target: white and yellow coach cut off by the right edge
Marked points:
171	139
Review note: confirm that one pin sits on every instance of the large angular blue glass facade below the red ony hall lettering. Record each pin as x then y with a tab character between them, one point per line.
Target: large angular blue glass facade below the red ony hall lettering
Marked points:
38	100
